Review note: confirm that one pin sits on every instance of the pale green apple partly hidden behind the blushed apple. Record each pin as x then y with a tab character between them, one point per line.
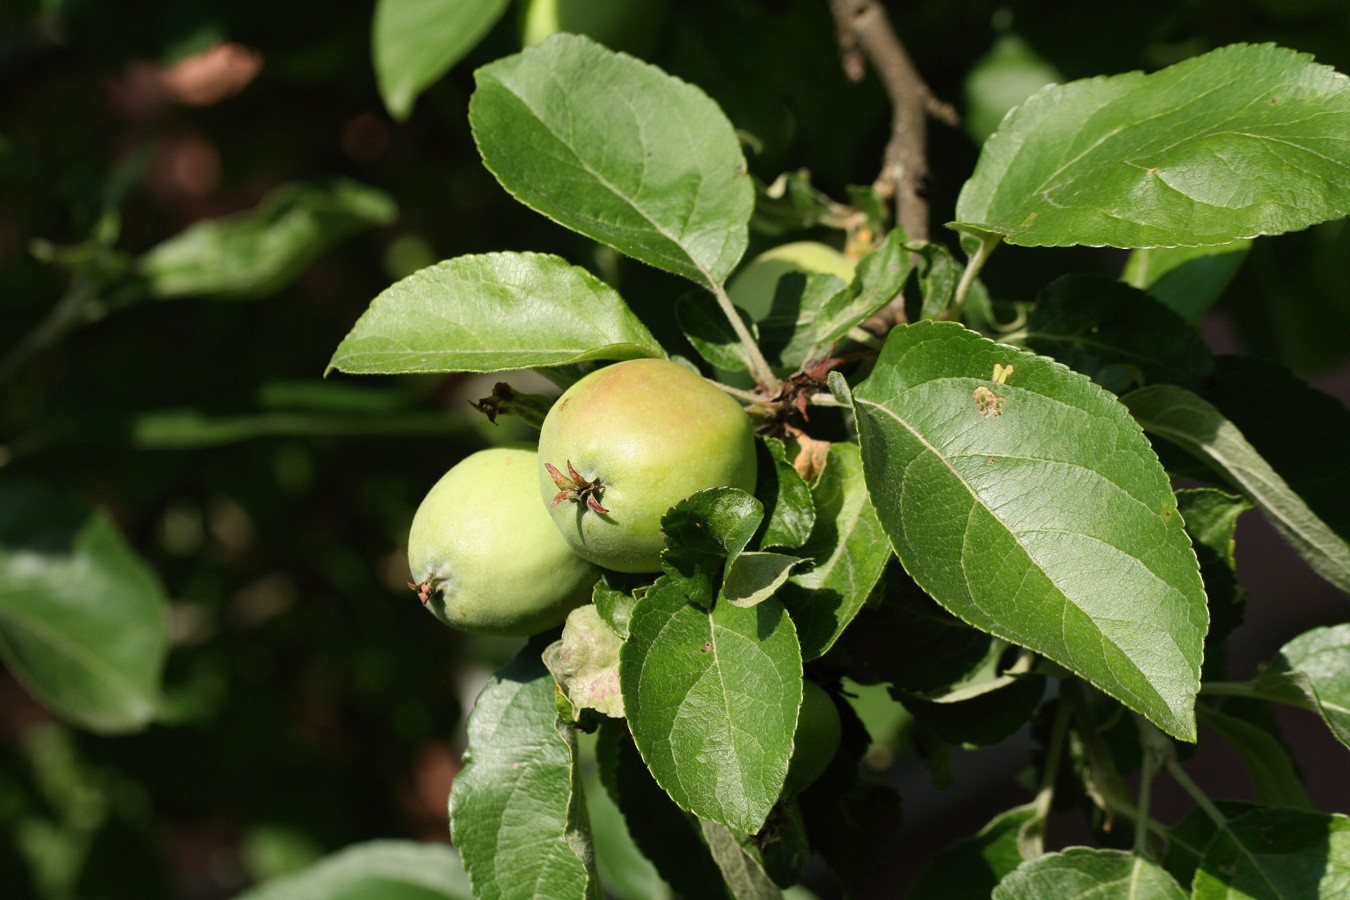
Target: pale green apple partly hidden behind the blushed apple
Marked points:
487	558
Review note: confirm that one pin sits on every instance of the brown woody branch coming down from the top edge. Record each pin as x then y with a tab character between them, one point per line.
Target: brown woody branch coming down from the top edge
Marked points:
865	32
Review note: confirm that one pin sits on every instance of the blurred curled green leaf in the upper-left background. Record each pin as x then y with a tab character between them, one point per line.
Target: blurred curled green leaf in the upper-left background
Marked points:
260	252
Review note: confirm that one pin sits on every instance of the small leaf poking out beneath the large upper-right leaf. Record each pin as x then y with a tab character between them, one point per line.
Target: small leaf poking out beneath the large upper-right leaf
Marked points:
1186	280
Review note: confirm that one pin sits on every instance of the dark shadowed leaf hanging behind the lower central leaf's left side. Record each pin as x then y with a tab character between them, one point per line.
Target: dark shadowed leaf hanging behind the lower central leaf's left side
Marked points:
668	836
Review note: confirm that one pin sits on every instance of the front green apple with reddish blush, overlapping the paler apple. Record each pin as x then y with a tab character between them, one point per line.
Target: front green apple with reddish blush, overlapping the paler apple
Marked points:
649	432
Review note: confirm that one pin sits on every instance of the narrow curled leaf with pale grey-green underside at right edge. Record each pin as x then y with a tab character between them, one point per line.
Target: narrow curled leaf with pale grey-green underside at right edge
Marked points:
1201	430
